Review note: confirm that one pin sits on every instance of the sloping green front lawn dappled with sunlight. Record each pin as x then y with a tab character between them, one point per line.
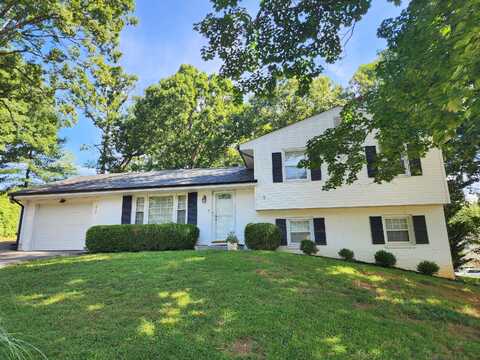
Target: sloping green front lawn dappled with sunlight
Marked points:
221	305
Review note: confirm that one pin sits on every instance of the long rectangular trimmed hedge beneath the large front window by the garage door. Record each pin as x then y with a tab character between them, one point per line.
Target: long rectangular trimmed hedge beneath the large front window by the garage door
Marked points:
113	238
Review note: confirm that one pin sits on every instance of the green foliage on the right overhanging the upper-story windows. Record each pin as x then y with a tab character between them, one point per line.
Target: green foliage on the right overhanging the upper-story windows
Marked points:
422	93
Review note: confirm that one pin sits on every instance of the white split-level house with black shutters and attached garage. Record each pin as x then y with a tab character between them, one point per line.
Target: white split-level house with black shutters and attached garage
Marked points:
404	216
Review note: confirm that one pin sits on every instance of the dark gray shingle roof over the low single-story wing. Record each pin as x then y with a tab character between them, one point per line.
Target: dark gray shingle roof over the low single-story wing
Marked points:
145	180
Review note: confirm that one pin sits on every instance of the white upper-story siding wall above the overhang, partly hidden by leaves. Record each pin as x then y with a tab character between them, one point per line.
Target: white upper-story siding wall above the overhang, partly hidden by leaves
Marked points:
430	188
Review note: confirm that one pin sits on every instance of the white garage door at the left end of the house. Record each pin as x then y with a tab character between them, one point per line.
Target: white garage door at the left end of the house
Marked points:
61	226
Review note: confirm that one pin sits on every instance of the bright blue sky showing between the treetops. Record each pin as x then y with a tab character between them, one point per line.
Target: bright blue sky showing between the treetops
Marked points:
164	39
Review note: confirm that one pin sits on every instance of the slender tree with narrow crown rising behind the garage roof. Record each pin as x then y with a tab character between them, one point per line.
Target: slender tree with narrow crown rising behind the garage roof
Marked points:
103	101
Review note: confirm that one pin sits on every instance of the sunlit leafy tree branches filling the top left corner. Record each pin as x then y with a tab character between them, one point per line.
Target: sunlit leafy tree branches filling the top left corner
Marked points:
57	37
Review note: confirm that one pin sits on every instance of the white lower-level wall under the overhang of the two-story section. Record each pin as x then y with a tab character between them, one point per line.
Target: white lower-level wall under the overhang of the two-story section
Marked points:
350	228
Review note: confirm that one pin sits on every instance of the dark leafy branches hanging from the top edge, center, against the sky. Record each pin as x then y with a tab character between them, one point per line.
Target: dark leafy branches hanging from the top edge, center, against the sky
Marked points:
284	39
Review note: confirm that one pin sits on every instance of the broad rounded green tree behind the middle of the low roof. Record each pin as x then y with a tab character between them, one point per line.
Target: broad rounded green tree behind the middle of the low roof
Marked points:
187	120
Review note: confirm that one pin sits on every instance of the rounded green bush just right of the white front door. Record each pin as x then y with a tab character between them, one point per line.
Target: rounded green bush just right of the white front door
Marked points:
262	236
